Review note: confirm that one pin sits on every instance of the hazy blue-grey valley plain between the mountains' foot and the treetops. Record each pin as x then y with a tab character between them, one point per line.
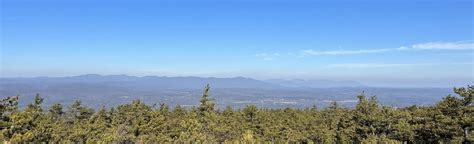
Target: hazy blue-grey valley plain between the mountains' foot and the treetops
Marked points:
237	97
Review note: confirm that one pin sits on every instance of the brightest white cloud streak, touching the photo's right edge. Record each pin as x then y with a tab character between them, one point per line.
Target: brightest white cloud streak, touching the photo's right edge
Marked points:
445	45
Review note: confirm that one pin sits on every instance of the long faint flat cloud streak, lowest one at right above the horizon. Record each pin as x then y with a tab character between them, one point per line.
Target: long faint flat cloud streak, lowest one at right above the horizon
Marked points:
381	65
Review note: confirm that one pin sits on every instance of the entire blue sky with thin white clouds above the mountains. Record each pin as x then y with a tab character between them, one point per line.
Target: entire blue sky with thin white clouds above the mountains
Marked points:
376	42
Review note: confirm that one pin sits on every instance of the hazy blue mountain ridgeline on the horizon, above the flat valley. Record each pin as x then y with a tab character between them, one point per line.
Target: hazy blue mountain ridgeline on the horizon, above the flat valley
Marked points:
156	82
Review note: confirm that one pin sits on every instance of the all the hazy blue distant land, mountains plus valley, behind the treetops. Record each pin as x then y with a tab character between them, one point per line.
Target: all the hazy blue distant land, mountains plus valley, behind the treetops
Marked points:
112	90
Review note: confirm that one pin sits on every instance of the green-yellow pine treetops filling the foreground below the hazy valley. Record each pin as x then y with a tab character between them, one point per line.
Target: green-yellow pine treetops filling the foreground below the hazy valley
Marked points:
448	121
